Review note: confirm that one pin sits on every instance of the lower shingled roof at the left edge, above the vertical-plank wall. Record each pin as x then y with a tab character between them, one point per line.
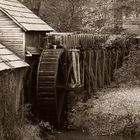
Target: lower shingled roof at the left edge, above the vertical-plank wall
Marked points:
8	60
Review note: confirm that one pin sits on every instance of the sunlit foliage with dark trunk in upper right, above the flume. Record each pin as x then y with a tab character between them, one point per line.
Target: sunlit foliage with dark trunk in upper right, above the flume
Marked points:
108	14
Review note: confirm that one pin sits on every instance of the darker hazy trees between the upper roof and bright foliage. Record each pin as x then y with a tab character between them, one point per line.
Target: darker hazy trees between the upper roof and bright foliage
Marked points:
62	15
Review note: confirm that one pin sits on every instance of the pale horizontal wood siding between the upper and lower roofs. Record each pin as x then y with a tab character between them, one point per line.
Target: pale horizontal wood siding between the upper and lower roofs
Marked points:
11	35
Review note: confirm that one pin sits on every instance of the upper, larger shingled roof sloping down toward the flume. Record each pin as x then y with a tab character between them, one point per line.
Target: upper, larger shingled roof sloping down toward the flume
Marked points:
24	17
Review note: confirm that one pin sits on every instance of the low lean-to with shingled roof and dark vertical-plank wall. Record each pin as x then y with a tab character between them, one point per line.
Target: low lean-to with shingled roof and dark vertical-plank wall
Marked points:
12	72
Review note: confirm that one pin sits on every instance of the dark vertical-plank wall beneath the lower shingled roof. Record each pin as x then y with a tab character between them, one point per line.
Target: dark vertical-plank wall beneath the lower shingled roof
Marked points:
11	98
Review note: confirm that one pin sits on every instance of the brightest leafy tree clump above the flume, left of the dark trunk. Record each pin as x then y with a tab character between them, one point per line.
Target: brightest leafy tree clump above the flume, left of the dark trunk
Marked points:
97	15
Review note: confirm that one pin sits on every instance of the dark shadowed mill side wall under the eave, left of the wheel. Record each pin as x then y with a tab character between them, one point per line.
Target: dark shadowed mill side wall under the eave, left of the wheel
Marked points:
33	40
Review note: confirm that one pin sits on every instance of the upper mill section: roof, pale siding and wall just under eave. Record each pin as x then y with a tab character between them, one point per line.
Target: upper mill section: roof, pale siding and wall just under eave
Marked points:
20	28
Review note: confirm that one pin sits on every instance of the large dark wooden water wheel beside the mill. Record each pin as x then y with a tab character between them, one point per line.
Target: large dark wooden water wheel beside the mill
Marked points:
51	86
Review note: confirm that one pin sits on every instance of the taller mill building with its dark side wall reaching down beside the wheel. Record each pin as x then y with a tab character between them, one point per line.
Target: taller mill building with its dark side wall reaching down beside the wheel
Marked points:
21	32
